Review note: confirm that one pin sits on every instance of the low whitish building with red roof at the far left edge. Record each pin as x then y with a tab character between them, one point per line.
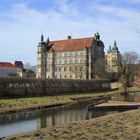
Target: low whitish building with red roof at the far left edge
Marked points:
9	69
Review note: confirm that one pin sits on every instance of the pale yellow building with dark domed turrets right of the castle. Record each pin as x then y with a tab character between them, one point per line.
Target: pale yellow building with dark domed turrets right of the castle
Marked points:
113	59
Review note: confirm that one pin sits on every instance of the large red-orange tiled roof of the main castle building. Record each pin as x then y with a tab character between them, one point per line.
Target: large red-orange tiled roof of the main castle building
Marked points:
71	44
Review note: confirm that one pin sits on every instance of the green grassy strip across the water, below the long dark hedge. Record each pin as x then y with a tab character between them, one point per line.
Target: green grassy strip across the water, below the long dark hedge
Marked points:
32	103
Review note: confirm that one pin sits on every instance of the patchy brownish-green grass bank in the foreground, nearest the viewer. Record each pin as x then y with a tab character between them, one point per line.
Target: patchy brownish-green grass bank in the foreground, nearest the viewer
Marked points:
121	126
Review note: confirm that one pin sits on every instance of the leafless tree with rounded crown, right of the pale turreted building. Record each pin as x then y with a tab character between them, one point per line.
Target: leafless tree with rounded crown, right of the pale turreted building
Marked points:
129	66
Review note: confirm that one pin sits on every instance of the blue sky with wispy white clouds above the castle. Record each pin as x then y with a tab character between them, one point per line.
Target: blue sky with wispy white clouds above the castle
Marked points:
23	21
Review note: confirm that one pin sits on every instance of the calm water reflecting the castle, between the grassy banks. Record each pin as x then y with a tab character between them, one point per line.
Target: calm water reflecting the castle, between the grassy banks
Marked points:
32	120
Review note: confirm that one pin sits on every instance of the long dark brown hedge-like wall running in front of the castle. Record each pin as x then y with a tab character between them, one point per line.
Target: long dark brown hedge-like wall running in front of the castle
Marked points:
35	87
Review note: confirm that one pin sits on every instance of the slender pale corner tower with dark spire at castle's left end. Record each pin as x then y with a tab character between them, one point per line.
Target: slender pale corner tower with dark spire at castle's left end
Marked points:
41	59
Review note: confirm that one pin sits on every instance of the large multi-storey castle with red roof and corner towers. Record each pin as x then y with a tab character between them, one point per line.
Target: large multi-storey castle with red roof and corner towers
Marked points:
81	58
